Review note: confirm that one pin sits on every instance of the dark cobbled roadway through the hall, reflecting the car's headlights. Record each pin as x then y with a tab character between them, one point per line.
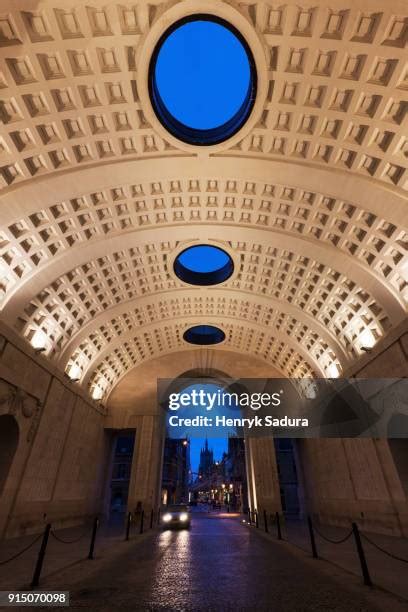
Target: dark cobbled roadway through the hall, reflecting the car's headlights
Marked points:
217	565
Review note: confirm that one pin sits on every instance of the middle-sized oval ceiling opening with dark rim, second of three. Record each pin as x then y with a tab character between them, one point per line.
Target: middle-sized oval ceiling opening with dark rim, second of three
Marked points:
203	265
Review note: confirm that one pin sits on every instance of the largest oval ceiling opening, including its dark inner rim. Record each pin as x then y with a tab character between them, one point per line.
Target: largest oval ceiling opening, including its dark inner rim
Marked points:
202	80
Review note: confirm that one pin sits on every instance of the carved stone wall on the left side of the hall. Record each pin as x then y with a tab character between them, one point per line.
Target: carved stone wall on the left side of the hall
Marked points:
55	473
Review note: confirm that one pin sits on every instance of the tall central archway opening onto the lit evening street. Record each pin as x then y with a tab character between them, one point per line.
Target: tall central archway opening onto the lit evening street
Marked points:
202	466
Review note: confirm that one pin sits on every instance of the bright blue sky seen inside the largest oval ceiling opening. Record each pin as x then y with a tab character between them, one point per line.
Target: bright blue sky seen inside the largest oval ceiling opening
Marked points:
202	74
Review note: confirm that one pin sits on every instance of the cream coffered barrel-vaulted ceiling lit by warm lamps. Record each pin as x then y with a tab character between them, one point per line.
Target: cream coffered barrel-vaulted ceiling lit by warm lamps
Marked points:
308	198
